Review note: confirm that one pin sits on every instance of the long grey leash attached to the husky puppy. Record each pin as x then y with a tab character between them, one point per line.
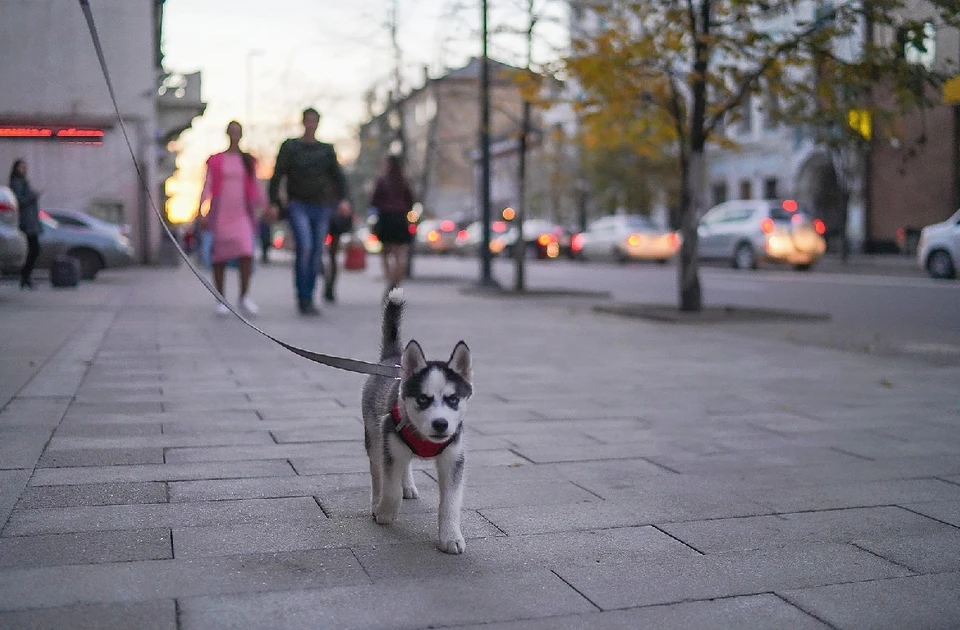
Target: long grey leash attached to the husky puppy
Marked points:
341	363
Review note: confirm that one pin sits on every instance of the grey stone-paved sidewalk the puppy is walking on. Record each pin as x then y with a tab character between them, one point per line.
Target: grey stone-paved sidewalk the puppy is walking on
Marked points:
164	468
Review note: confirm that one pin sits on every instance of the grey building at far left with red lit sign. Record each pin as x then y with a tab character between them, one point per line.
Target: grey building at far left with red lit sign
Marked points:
56	113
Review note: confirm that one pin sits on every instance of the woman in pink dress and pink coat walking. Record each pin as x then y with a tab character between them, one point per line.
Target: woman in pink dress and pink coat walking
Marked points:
234	194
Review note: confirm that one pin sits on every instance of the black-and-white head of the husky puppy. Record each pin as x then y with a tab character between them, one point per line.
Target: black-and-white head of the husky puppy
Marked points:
434	394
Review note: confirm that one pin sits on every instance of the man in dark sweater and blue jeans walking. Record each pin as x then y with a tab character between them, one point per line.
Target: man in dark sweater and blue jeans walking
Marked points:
315	187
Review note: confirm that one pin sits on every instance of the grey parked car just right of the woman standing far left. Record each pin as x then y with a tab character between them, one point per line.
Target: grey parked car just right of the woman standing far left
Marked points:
95	248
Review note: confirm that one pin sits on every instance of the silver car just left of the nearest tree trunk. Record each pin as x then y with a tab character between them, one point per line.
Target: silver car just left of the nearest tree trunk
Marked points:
623	238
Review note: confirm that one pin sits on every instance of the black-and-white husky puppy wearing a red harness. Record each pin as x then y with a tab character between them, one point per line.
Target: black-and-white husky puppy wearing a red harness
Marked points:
418	415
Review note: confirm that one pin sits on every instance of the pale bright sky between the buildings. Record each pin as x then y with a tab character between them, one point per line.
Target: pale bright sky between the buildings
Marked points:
321	53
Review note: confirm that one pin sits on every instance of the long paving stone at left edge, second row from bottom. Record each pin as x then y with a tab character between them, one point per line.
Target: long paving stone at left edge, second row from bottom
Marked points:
162	579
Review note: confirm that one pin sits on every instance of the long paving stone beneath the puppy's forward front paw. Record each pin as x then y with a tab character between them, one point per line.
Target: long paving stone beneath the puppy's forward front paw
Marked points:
213	540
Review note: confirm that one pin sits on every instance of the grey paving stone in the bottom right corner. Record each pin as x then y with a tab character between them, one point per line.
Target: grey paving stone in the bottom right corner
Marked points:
923	601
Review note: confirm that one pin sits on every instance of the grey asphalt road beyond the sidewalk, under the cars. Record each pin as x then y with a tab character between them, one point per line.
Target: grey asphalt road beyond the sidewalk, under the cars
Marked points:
880	308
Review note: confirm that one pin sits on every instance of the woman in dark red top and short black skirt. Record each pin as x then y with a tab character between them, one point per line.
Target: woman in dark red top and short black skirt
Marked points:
393	200
